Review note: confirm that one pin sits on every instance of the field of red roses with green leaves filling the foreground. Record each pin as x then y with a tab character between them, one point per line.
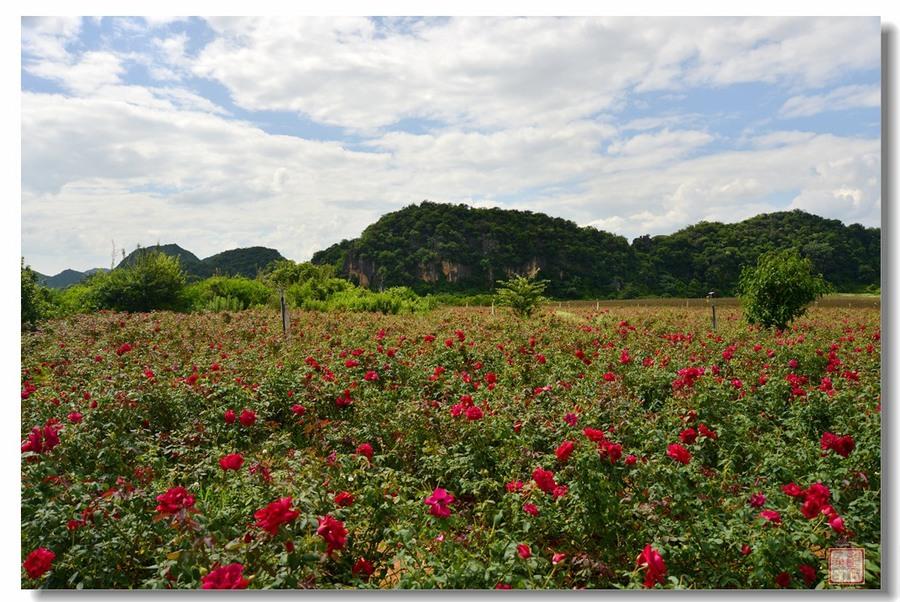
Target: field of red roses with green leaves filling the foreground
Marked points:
611	448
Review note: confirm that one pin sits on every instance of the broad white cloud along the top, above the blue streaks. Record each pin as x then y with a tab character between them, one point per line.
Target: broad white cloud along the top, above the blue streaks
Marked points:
502	72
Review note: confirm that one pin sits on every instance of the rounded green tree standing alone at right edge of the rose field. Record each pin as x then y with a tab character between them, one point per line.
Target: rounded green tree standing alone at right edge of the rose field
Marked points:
779	288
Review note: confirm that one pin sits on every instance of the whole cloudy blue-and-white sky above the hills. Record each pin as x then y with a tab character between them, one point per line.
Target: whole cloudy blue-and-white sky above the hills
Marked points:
296	133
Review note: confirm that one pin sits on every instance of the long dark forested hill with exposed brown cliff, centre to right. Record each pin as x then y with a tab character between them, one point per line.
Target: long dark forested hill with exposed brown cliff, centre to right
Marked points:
435	247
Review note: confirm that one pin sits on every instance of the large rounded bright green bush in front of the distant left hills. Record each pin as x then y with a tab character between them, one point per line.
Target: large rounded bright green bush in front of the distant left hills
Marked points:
153	280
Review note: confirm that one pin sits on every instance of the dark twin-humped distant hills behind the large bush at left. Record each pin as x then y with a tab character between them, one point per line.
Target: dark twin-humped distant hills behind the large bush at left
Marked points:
236	262
